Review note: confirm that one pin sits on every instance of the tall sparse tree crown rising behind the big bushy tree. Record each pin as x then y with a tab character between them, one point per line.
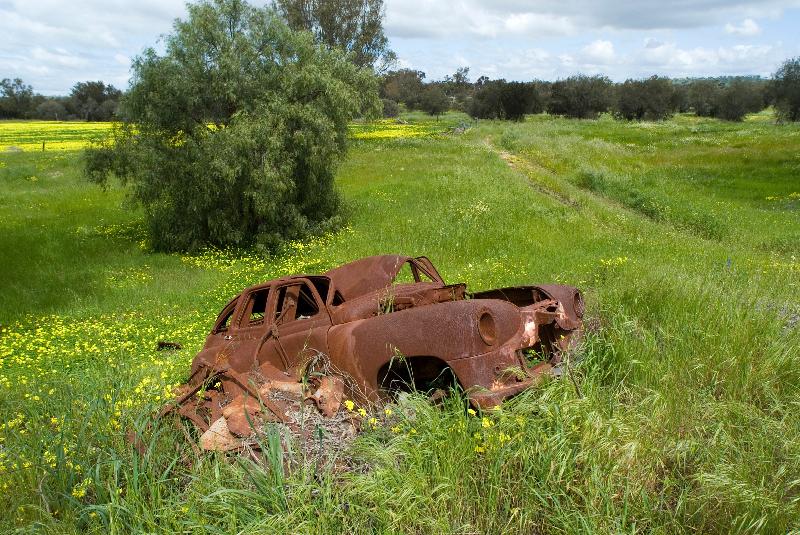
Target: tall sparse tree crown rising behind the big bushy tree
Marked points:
353	25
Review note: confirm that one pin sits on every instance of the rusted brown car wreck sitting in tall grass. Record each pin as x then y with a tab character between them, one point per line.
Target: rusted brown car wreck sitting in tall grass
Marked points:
364	331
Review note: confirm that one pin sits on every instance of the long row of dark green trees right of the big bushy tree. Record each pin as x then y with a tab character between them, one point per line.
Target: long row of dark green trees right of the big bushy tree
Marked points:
585	97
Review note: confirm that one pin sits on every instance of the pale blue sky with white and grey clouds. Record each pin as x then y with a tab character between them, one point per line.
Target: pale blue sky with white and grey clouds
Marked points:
52	44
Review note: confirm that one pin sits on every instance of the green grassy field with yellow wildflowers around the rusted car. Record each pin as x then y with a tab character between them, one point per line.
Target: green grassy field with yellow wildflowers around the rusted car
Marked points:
684	236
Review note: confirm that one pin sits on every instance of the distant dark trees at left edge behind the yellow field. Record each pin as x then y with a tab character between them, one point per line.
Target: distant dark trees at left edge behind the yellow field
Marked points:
88	101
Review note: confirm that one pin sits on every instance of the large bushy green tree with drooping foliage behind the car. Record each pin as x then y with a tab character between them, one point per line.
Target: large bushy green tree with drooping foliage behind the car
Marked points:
233	135
